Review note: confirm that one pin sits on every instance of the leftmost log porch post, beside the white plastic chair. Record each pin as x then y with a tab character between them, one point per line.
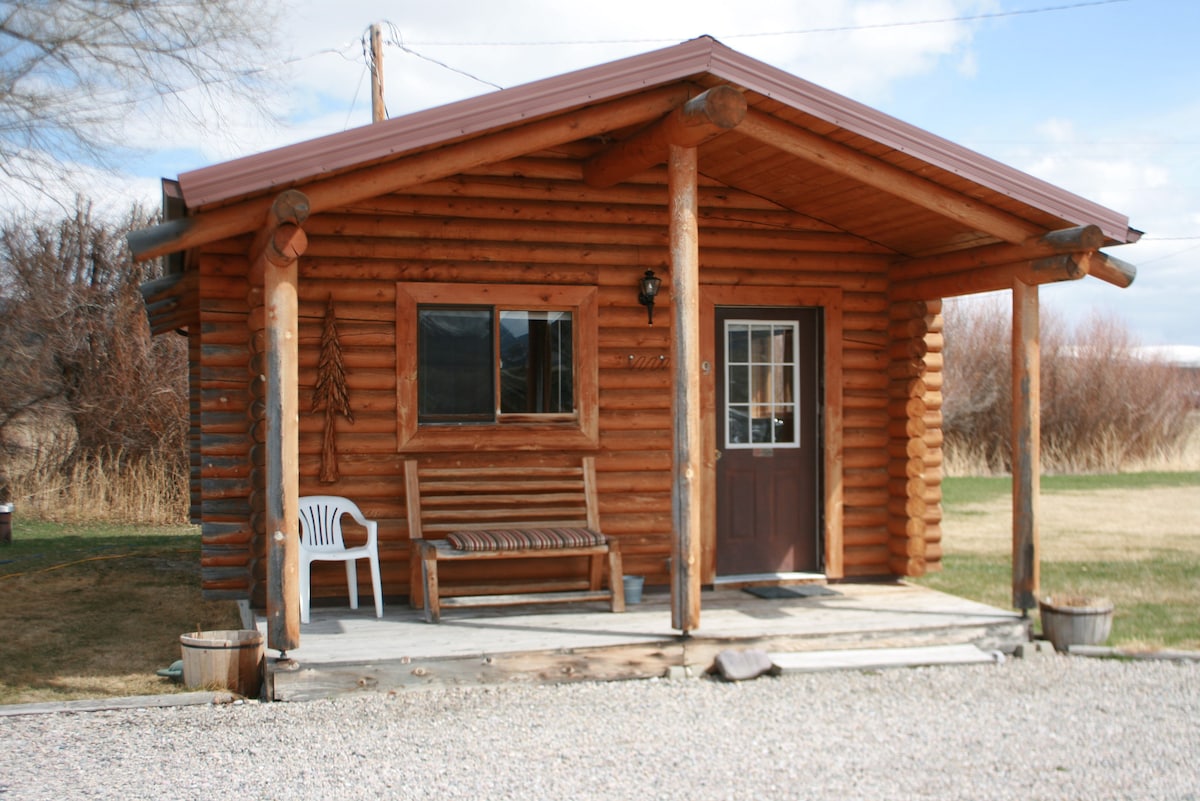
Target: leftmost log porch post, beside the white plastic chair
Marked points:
275	255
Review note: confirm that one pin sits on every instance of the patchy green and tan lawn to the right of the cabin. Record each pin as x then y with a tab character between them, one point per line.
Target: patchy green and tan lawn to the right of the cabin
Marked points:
1133	539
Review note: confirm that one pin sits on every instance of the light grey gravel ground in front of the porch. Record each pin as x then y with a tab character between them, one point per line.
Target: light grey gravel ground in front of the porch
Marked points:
1045	728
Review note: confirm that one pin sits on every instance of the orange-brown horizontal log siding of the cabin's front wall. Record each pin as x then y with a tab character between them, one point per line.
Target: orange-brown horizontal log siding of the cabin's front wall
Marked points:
535	222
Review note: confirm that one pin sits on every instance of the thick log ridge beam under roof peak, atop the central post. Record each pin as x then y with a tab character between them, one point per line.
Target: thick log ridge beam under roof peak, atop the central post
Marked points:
701	119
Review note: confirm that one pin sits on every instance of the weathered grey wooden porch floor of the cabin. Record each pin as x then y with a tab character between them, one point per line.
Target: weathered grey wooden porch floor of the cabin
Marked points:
345	651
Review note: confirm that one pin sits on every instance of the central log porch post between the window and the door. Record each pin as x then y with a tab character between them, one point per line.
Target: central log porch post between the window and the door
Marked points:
686	503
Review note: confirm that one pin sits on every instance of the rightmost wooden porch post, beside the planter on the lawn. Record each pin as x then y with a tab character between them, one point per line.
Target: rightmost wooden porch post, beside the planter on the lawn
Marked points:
1027	445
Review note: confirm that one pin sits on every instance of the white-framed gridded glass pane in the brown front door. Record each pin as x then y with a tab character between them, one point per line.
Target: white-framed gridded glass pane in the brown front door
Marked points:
761	376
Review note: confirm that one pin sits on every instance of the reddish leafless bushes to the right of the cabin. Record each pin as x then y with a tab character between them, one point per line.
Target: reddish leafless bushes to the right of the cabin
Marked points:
1105	408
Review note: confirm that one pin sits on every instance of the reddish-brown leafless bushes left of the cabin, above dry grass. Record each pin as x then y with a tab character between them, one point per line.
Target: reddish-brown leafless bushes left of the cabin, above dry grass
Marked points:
76	344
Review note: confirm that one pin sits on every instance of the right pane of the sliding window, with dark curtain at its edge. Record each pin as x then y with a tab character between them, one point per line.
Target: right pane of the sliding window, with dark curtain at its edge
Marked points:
536	363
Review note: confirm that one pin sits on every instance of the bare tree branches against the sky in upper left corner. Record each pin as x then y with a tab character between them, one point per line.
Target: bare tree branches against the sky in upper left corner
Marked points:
73	73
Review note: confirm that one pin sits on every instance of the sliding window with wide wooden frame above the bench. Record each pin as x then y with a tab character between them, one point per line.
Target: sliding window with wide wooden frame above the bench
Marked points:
496	366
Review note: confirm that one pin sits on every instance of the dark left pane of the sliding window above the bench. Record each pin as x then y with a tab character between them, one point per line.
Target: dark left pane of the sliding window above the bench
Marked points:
455	365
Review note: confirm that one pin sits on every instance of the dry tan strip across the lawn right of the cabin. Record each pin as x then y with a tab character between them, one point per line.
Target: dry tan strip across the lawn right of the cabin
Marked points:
1085	526
